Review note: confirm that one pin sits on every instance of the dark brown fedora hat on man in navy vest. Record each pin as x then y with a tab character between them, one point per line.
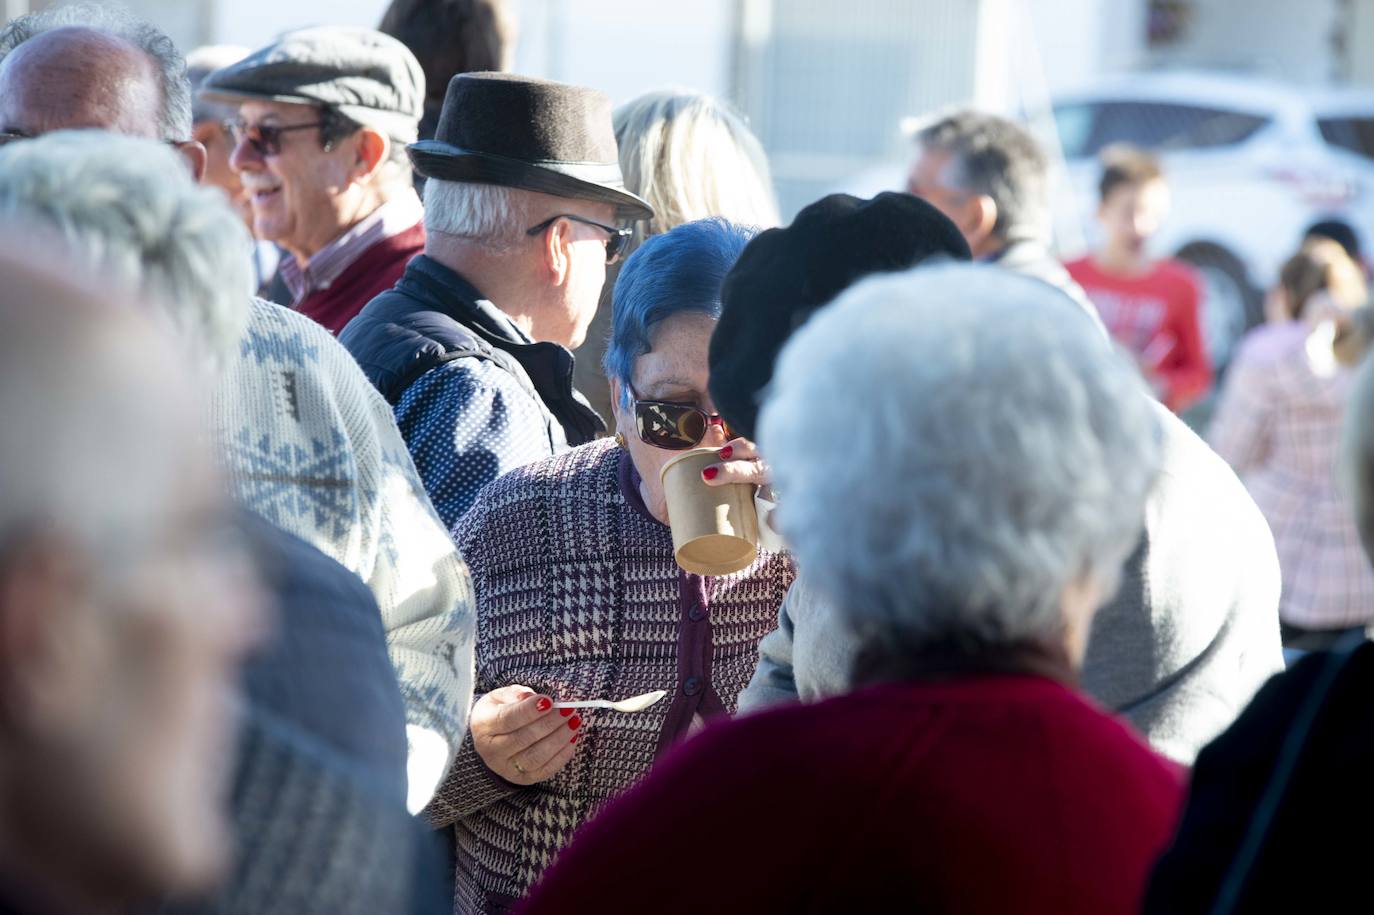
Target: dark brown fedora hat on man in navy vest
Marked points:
535	135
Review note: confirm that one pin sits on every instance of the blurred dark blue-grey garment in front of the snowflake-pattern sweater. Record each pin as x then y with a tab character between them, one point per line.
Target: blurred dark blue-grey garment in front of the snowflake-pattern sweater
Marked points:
319	793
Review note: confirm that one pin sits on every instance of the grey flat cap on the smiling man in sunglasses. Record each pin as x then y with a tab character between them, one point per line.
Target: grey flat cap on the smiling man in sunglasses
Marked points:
365	75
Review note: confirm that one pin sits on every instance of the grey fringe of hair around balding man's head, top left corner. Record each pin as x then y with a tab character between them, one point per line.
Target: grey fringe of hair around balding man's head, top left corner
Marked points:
175	123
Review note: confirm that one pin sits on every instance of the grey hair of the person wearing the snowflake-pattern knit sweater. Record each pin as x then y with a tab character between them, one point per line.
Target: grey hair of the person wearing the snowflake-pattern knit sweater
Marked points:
131	211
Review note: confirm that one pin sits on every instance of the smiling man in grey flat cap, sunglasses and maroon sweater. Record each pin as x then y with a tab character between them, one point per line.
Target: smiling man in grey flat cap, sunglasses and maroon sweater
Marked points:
319	145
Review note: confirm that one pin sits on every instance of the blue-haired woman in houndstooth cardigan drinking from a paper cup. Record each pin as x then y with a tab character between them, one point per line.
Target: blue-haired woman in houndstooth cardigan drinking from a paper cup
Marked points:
581	598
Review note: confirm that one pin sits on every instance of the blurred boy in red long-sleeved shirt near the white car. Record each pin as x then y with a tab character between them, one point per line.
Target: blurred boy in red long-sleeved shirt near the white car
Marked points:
1149	307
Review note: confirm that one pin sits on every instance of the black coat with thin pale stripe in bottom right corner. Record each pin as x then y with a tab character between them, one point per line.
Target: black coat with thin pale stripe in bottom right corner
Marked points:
1316	851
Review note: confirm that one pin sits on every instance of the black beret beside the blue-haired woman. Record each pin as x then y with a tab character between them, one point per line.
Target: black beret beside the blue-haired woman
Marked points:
787	274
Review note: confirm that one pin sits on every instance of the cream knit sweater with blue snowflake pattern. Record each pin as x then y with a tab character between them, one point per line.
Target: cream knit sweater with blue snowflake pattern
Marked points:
308	444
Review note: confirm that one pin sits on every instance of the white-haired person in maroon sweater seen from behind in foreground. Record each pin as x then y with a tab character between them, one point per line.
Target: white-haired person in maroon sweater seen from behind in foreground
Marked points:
989	483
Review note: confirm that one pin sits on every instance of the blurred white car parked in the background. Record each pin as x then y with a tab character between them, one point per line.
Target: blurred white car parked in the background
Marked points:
1252	166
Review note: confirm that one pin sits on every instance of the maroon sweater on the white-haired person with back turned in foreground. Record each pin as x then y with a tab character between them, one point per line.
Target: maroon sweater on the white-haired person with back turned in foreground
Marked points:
979	795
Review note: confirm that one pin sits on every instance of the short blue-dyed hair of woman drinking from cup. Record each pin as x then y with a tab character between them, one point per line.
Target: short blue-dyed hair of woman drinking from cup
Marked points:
678	271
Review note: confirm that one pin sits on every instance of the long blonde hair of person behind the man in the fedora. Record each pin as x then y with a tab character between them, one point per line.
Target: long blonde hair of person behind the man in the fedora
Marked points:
690	156
